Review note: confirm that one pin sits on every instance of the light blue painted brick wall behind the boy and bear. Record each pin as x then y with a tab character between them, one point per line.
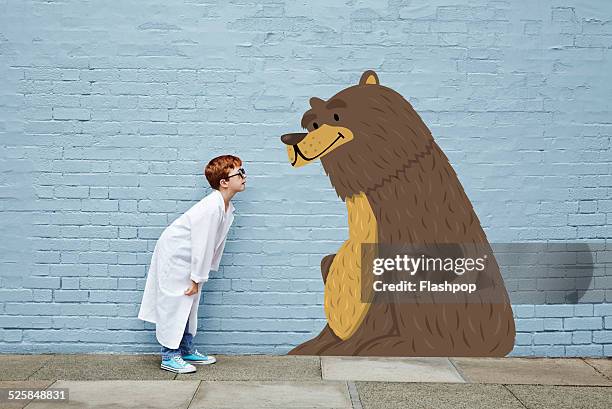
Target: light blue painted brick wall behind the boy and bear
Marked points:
108	113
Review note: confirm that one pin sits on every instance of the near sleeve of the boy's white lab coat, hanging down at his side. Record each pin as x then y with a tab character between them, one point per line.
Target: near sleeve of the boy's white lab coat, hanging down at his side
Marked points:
204	227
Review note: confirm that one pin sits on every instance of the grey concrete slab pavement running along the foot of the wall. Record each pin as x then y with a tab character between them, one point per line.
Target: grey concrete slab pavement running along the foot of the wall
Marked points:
260	381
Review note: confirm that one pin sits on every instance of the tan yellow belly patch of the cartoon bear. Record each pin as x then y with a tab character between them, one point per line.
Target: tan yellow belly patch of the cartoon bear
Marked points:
343	307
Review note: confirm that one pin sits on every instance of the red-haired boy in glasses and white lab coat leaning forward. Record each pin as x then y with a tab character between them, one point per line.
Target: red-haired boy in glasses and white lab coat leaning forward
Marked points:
183	256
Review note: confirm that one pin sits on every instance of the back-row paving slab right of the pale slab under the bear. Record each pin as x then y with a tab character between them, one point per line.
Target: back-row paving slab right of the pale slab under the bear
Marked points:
537	371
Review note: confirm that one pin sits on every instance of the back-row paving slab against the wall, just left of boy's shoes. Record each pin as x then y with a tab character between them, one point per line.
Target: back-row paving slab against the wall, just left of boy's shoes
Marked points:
102	367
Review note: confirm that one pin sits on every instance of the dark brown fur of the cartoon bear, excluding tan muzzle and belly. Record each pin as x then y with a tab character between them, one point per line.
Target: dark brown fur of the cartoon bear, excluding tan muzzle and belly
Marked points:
416	197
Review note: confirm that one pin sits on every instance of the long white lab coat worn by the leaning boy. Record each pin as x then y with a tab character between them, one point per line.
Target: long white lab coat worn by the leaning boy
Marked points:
186	250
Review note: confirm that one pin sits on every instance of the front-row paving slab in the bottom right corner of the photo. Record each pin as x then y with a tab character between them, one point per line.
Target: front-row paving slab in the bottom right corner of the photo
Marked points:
563	397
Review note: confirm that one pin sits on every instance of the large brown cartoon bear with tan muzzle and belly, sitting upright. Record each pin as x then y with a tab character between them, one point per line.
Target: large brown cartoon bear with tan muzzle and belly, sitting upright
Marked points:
399	188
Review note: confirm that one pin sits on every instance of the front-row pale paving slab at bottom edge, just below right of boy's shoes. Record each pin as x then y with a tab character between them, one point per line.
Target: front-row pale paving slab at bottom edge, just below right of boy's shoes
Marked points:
271	395
